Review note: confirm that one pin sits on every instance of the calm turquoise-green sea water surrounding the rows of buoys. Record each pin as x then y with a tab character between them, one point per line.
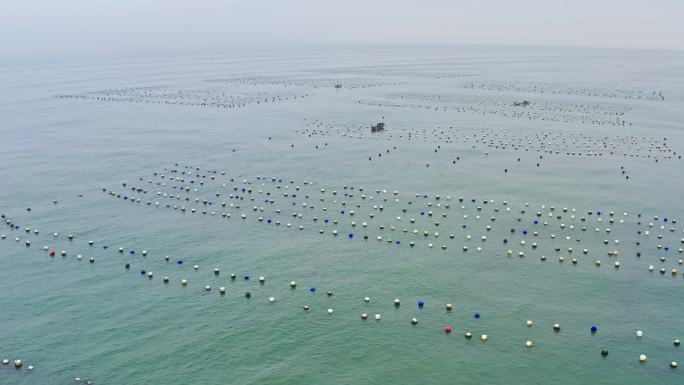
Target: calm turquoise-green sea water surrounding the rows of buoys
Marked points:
101	321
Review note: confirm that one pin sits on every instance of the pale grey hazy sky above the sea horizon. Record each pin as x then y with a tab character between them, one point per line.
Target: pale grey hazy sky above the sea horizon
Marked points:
55	29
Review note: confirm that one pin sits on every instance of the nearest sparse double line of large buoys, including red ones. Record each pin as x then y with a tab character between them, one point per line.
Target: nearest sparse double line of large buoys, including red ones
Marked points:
292	287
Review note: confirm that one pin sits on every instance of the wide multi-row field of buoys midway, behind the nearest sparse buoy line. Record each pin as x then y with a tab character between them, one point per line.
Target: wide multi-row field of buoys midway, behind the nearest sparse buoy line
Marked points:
267	198
